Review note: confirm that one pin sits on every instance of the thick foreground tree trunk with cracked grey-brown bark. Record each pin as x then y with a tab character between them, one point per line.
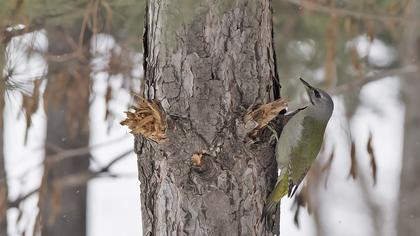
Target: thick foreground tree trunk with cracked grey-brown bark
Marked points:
206	68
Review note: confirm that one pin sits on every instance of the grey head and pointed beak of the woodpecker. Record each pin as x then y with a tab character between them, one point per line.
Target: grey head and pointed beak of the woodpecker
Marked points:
319	99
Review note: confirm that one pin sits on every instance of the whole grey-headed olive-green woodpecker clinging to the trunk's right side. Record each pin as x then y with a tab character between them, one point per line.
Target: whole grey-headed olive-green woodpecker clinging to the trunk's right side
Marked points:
299	145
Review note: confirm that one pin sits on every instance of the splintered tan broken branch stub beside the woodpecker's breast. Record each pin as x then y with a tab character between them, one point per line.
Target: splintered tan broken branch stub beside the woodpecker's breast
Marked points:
260	117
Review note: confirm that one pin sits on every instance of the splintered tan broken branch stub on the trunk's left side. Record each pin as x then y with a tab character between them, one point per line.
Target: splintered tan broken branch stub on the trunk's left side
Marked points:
146	119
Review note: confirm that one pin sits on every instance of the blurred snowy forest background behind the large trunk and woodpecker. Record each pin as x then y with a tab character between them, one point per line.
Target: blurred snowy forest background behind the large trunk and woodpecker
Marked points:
69	70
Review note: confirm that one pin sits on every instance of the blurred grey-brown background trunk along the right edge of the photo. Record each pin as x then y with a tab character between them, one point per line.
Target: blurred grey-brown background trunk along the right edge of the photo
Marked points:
409	212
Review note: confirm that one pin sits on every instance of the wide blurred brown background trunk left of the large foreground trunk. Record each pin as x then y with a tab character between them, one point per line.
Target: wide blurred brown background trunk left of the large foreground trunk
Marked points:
63	208
